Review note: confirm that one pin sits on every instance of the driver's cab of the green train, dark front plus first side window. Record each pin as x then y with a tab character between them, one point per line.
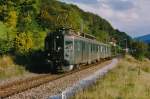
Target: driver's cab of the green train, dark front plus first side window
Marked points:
59	49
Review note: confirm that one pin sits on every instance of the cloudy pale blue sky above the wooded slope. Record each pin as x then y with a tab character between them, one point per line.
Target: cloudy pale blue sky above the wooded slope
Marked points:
130	16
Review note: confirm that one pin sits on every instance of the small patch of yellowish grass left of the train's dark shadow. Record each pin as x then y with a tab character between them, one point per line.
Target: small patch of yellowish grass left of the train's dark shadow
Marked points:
8	68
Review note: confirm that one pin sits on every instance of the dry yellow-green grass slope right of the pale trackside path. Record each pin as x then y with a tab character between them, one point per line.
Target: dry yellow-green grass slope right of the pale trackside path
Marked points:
130	80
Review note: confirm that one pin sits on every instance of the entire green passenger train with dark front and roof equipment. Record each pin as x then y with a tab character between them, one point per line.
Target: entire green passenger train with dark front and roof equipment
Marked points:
65	49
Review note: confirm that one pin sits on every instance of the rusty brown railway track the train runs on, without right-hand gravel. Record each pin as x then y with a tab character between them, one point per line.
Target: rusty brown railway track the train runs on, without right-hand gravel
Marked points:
23	85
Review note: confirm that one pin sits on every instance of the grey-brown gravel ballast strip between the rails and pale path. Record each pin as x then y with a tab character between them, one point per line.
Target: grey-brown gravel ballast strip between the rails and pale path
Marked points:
57	86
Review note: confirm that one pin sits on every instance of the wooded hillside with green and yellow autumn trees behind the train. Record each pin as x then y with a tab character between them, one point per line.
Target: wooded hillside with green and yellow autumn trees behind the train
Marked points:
25	23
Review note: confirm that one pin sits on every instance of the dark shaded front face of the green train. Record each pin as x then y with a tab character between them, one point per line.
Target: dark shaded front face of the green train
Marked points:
55	50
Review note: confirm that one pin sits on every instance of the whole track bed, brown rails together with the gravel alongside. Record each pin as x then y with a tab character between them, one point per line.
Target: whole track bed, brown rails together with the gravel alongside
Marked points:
23	87
